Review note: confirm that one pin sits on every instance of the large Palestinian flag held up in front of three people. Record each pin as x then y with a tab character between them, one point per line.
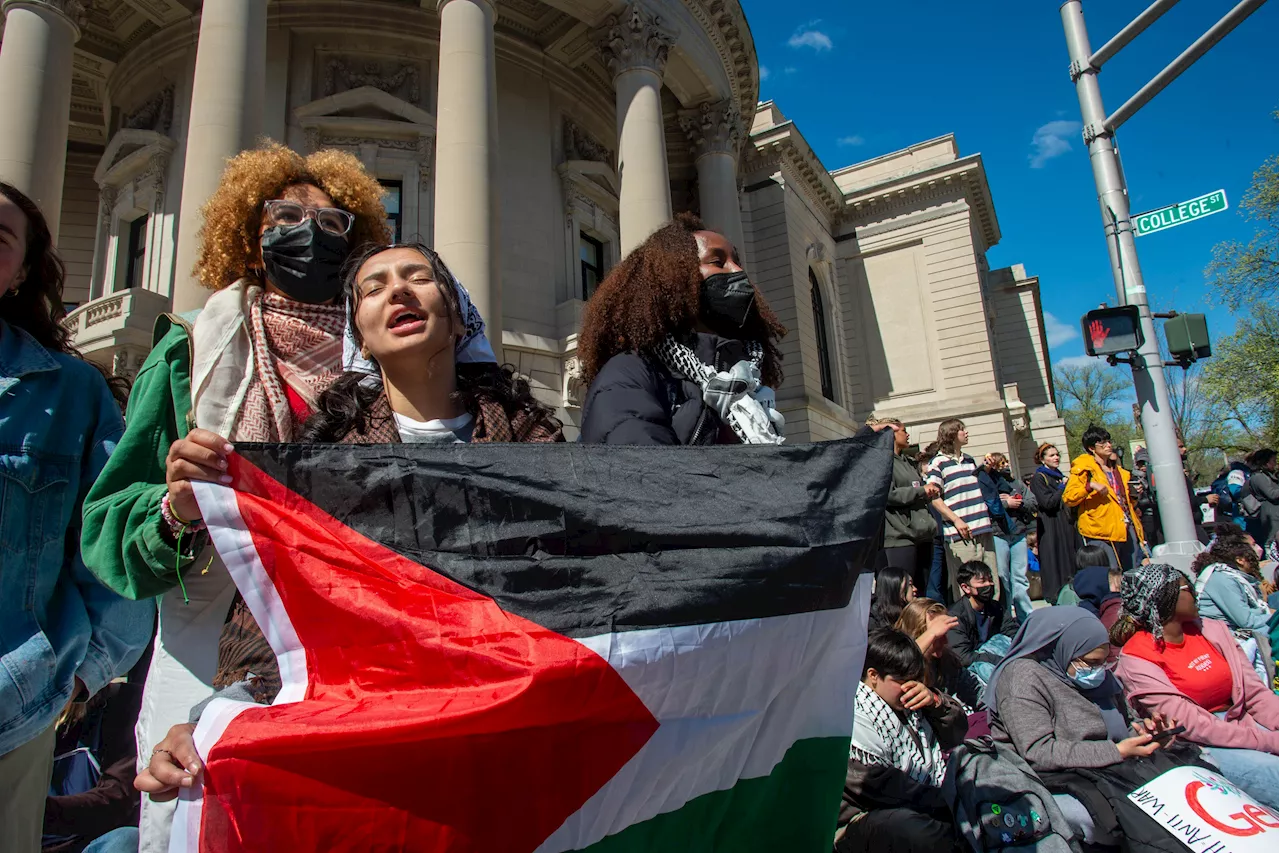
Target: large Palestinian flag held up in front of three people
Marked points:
504	649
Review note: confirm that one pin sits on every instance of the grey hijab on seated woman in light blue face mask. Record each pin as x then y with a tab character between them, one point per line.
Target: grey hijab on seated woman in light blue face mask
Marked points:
1054	637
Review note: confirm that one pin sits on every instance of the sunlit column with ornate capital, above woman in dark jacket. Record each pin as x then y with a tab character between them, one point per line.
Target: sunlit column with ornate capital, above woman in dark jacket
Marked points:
636	48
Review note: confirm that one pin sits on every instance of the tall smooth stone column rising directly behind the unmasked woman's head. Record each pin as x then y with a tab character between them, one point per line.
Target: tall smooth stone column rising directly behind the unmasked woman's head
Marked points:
467	157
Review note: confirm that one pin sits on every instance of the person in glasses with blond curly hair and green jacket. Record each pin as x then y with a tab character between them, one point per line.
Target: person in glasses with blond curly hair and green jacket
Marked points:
250	367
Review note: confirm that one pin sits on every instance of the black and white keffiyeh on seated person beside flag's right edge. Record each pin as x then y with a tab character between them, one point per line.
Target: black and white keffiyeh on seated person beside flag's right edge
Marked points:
906	742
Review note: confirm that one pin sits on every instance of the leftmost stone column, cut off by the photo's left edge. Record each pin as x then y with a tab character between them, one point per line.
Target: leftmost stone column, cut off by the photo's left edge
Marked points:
36	98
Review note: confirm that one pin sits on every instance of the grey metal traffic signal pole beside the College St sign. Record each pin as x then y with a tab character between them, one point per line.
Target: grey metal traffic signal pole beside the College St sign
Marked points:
1149	377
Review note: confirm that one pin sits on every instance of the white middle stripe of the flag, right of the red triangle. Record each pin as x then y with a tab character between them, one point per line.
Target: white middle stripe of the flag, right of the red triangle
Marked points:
732	699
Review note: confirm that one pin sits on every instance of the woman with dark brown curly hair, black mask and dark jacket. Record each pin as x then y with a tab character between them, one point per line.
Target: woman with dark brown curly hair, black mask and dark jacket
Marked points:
679	348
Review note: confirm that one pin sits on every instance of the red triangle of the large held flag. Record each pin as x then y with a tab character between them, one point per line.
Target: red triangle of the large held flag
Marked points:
432	720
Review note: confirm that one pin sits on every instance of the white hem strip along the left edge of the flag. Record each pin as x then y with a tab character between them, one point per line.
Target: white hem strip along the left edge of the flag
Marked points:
235	545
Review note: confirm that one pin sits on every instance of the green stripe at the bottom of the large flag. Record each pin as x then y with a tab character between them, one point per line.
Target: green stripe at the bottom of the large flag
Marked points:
793	809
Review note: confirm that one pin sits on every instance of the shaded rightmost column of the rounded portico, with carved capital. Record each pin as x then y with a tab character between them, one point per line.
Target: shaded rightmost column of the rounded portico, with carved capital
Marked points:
716	133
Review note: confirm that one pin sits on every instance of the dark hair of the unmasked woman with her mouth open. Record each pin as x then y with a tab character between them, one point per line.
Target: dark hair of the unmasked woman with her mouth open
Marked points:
348	405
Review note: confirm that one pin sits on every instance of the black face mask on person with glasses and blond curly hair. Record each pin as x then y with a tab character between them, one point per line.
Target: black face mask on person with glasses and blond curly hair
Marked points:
305	262
